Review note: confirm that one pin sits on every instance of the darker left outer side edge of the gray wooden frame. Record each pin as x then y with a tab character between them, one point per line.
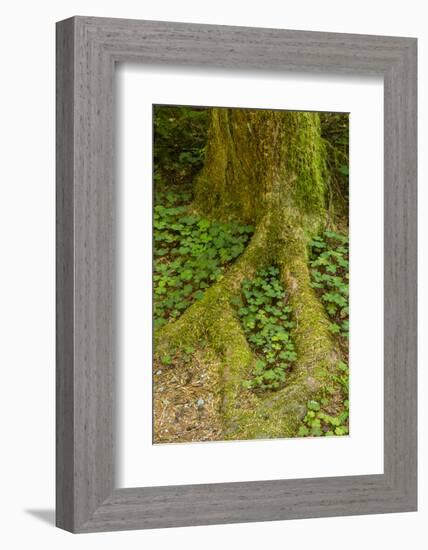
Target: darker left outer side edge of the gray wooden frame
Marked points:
64	276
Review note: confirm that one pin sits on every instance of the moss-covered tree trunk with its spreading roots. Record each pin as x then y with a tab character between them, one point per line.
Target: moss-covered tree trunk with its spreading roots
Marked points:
266	168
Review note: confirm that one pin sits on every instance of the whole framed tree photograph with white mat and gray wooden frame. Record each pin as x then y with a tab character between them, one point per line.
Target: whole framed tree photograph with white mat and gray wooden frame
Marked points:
236	274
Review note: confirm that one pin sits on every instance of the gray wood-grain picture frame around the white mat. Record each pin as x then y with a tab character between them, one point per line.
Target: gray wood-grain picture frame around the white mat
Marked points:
87	51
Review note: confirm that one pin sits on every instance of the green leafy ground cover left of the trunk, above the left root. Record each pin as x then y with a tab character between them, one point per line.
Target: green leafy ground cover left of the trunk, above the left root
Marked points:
190	253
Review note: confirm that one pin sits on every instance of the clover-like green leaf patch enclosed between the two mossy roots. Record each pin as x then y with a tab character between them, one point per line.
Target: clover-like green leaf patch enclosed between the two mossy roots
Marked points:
266	320
